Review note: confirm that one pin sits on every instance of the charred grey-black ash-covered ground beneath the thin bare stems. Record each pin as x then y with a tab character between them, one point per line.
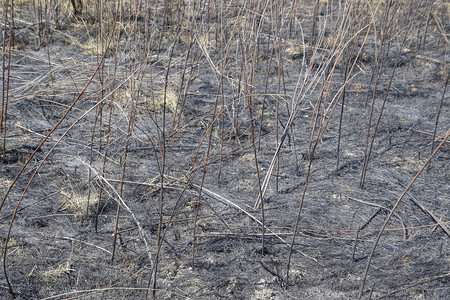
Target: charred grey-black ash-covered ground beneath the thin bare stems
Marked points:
212	245
